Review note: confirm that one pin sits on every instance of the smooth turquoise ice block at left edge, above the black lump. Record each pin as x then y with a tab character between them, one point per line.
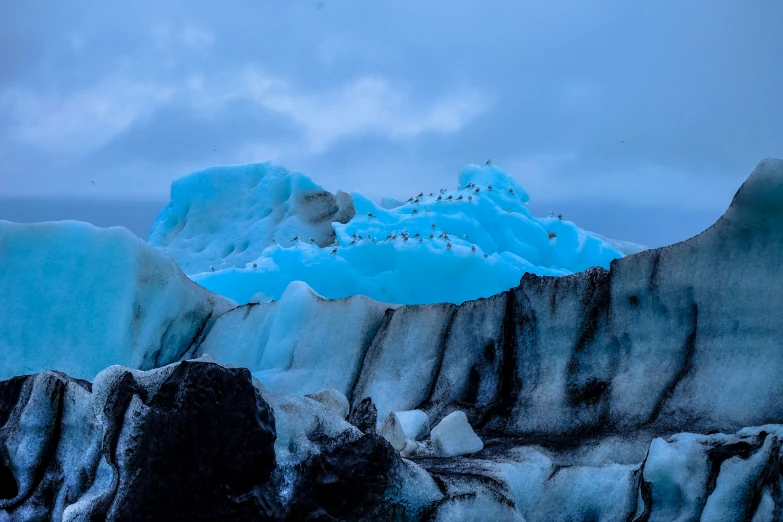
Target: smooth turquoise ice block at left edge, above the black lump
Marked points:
77	298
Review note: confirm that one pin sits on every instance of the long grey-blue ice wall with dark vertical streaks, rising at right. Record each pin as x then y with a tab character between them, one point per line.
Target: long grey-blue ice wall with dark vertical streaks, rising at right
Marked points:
682	337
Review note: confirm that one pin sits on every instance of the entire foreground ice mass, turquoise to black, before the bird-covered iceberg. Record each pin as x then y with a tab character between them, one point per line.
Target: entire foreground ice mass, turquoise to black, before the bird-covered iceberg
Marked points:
649	392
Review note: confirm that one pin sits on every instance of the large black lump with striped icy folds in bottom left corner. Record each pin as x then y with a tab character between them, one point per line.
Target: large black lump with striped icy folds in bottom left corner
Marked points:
186	442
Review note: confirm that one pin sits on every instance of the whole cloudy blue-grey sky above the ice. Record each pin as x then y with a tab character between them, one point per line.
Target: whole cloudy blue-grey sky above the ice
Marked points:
638	119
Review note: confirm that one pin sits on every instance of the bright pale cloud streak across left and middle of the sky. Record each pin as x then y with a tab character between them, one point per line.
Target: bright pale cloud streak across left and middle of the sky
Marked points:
84	120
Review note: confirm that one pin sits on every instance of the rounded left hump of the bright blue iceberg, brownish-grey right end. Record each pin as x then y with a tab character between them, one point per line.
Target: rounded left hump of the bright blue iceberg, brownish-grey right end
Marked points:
225	217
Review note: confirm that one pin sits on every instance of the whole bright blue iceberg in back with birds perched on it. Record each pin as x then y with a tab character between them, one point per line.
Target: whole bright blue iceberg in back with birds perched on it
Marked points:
451	246
